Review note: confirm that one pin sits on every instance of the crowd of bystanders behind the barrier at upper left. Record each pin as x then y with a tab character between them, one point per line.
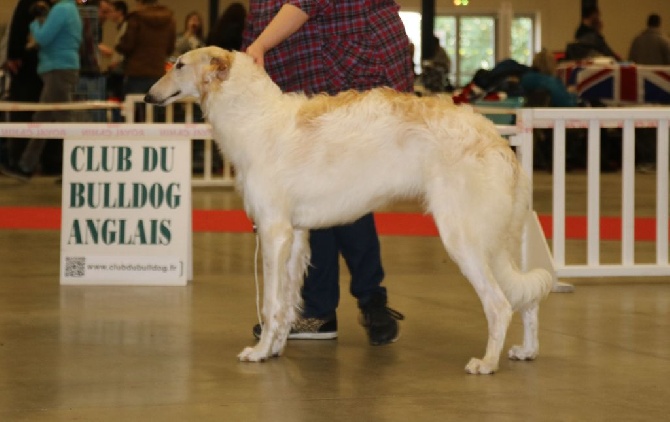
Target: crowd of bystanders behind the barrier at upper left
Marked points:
55	53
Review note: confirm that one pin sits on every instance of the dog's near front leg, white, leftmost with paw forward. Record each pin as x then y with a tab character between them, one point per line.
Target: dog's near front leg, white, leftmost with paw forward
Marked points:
276	239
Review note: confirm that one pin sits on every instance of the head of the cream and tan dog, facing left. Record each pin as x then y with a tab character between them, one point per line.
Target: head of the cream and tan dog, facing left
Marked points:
192	75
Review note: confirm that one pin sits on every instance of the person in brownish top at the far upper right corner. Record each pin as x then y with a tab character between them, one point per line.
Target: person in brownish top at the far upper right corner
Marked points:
651	46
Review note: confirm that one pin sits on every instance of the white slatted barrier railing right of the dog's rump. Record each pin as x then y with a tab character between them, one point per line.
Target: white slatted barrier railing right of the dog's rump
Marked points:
593	119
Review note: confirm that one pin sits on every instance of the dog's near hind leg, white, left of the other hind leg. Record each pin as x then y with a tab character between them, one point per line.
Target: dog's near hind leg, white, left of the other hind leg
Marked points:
470	253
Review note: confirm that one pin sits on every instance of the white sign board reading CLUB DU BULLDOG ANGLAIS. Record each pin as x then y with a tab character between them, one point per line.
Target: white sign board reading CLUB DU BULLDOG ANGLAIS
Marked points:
126	212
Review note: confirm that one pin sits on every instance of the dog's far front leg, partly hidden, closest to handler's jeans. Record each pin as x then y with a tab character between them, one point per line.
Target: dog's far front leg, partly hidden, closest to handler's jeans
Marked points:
296	268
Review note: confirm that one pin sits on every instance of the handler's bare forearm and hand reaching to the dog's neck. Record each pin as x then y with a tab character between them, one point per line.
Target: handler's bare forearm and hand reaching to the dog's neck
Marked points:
287	22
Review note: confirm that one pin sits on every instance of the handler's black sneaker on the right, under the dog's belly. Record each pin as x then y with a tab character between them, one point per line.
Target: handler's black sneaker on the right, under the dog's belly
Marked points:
380	321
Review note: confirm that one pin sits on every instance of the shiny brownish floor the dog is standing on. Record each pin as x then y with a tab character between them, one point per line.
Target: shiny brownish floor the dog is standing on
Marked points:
169	354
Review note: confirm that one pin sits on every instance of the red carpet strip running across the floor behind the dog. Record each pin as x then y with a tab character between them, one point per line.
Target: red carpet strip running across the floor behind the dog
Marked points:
389	224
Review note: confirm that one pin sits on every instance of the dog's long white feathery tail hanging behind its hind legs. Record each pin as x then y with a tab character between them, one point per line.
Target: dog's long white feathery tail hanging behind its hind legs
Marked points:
520	288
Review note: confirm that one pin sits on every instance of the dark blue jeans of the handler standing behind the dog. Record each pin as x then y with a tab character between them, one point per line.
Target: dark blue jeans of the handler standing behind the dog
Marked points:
359	245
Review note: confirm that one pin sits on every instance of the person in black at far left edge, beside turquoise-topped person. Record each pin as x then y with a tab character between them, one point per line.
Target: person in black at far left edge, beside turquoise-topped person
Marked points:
25	84
